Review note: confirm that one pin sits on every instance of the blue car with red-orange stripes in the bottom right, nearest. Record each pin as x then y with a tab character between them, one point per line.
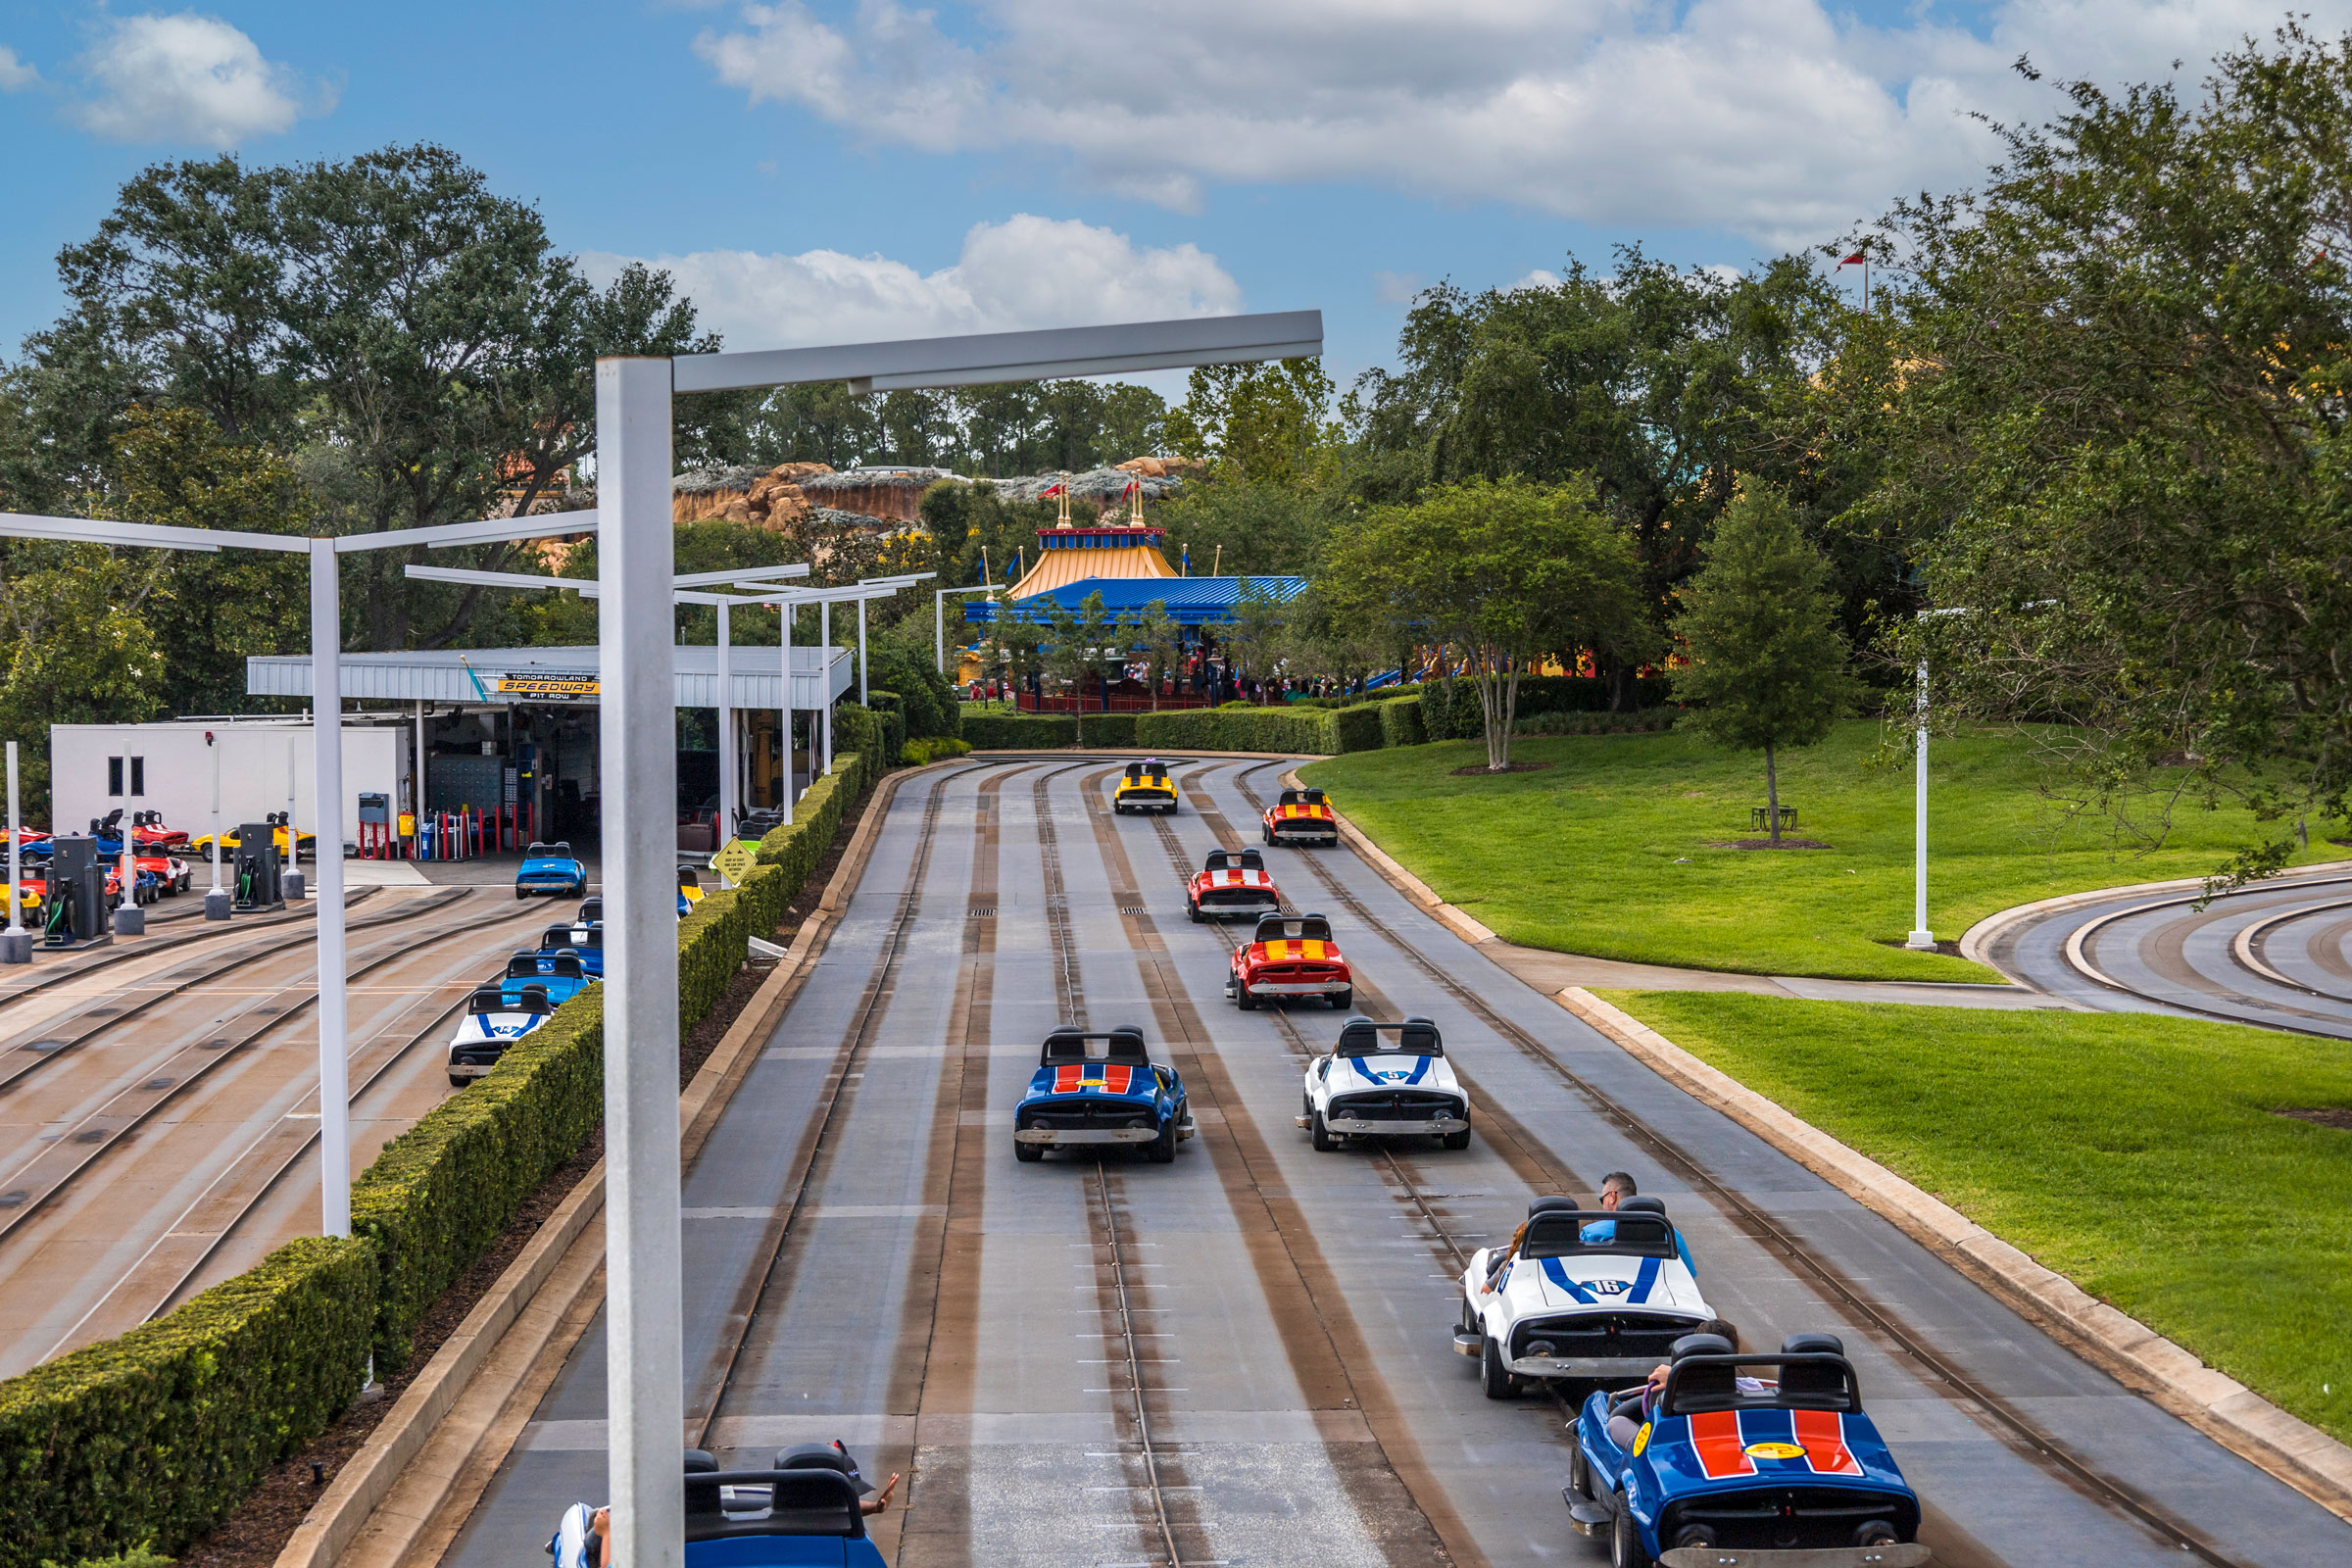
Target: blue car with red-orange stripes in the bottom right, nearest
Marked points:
1744	1461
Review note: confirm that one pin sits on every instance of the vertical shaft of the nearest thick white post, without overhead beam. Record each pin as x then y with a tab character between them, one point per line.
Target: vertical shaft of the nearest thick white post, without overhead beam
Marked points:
643	1259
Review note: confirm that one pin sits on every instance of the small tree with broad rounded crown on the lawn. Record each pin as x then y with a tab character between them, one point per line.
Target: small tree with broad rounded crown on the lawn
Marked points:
1497	572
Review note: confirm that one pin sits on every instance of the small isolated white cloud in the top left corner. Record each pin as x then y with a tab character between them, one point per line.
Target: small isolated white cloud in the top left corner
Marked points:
189	79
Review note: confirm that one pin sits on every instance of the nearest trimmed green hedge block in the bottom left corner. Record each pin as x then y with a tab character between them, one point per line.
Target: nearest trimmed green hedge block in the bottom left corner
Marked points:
166	1430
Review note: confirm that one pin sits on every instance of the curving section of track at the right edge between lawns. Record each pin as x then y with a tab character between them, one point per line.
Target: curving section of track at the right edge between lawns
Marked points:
2278	953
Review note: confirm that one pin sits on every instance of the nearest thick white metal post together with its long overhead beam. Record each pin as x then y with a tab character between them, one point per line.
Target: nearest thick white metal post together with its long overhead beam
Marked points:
634	408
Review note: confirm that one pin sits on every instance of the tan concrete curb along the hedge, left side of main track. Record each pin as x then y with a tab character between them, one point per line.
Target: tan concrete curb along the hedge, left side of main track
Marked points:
368	1480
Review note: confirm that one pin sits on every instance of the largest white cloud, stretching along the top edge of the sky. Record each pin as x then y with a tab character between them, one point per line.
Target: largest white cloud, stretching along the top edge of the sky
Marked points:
1765	116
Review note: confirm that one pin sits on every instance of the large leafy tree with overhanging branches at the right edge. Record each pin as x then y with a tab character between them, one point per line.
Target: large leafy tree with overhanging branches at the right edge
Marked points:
2123	438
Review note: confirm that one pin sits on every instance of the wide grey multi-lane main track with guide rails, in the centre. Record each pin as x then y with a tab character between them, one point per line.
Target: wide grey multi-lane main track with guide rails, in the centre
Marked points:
1245	1358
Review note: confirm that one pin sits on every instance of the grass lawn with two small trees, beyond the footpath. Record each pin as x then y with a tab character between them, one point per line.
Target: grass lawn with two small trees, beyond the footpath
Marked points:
1610	852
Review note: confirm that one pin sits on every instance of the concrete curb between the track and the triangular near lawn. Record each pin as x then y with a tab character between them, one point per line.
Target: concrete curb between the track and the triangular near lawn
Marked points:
2217	1405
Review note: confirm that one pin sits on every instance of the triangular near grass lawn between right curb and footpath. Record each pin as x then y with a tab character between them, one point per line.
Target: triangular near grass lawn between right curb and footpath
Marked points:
2137	1155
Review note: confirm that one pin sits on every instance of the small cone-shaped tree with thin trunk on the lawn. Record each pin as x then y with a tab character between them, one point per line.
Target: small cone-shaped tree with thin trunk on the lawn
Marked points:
1758	624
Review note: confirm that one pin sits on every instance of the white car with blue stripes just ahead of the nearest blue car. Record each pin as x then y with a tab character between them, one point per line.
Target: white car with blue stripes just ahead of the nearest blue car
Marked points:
1582	1294
